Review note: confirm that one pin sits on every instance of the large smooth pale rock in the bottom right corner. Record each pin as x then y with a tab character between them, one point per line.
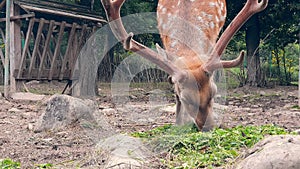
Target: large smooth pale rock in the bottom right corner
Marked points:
281	151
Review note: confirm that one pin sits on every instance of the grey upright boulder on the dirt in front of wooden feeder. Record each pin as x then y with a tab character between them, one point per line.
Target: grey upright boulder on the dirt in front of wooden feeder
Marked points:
63	110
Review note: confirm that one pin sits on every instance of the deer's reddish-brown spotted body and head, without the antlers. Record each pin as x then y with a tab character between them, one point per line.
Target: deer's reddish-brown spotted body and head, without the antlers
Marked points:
175	17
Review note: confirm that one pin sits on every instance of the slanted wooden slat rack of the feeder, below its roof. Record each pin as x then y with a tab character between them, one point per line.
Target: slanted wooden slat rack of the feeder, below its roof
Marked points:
46	60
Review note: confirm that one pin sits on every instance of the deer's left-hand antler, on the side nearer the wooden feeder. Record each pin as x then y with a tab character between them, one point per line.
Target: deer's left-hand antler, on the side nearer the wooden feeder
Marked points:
112	9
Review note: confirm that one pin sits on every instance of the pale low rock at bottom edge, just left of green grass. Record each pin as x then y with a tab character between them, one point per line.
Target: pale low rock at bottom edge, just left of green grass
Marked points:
124	152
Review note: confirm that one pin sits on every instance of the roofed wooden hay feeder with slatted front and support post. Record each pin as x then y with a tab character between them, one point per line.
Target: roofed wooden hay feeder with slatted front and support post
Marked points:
46	37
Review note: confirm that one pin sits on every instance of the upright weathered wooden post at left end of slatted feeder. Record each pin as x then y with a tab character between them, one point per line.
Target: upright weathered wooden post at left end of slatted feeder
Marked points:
15	46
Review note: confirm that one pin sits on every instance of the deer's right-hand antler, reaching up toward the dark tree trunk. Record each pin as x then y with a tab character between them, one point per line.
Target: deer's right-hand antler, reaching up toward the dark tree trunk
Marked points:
251	7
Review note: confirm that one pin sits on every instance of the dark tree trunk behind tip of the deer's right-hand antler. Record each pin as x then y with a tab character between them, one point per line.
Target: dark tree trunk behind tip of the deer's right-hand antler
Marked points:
253	60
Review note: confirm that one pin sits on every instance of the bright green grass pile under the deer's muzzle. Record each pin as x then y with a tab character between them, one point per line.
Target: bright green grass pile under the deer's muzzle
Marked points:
188	148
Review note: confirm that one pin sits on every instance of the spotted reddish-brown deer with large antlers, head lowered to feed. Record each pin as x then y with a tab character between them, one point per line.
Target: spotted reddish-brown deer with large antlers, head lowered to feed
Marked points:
184	25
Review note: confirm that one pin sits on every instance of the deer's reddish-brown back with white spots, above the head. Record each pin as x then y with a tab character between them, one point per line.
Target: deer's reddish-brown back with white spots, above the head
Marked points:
189	28
